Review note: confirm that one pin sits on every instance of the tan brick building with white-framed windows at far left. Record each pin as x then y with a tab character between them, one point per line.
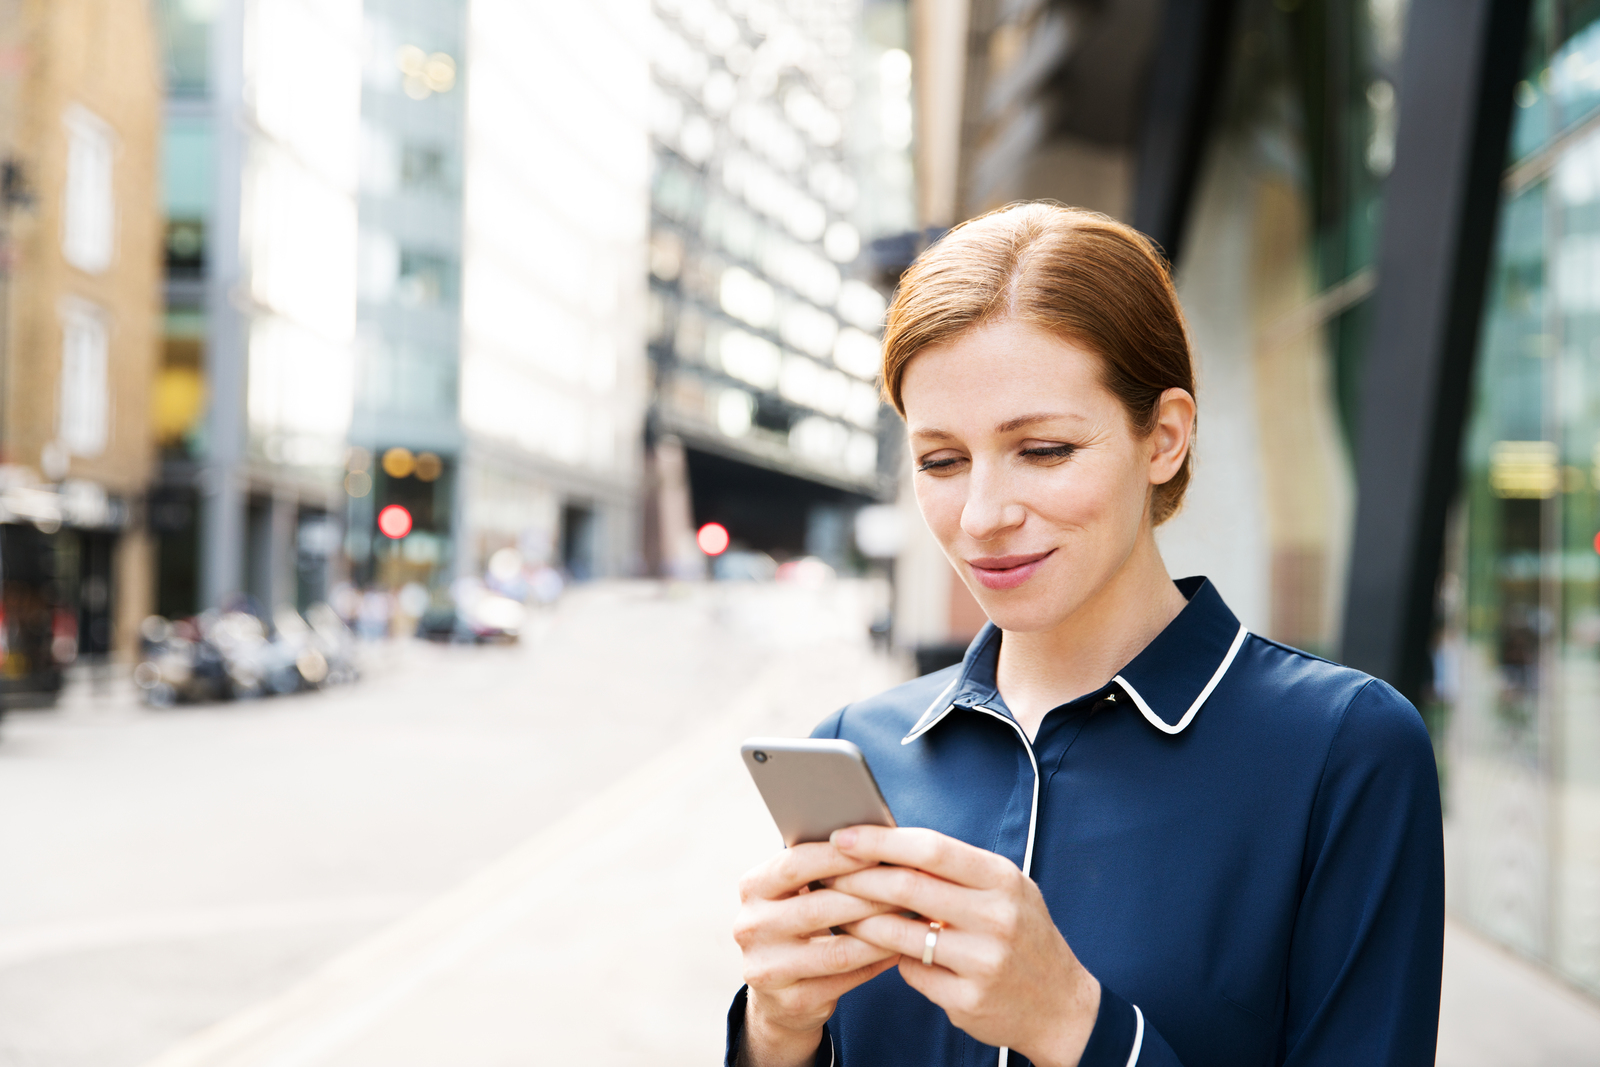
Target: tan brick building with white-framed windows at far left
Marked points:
79	303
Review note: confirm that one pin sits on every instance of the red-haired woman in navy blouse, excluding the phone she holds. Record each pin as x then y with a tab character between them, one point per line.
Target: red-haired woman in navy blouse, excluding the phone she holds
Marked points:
1142	836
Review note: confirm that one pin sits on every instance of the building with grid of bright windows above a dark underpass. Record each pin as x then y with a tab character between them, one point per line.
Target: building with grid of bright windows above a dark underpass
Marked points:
782	150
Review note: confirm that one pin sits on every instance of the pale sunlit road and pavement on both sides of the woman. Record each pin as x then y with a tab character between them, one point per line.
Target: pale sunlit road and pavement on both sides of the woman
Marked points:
479	857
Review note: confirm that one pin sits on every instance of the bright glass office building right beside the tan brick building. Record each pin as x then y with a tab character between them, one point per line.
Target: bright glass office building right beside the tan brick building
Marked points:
257	390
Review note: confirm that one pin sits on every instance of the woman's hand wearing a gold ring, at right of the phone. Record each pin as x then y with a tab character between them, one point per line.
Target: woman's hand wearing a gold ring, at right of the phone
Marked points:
1001	969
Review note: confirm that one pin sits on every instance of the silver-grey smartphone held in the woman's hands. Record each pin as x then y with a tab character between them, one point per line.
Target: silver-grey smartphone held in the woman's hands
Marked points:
815	786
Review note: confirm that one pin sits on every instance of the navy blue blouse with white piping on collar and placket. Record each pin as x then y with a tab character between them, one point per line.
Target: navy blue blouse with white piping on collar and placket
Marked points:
1241	841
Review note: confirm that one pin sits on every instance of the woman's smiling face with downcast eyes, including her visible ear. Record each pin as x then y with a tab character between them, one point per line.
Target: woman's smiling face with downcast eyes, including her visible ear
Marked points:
1030	471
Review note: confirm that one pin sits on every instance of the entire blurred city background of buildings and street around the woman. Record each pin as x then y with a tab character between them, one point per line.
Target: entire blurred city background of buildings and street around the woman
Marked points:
434	433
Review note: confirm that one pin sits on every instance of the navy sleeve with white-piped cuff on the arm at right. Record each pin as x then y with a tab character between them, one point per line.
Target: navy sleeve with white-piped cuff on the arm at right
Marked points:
1367	953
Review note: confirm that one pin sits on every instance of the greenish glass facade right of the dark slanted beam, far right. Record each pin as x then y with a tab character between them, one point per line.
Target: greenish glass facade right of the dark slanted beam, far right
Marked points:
1518	666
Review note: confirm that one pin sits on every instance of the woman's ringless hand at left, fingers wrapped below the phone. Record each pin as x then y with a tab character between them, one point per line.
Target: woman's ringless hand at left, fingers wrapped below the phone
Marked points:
794	967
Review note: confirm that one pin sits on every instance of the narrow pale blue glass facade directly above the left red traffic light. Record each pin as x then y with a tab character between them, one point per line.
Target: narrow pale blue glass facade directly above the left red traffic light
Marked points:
406	433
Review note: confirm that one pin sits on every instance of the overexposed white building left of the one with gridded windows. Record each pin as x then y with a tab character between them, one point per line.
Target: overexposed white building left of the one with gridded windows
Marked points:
553	340
